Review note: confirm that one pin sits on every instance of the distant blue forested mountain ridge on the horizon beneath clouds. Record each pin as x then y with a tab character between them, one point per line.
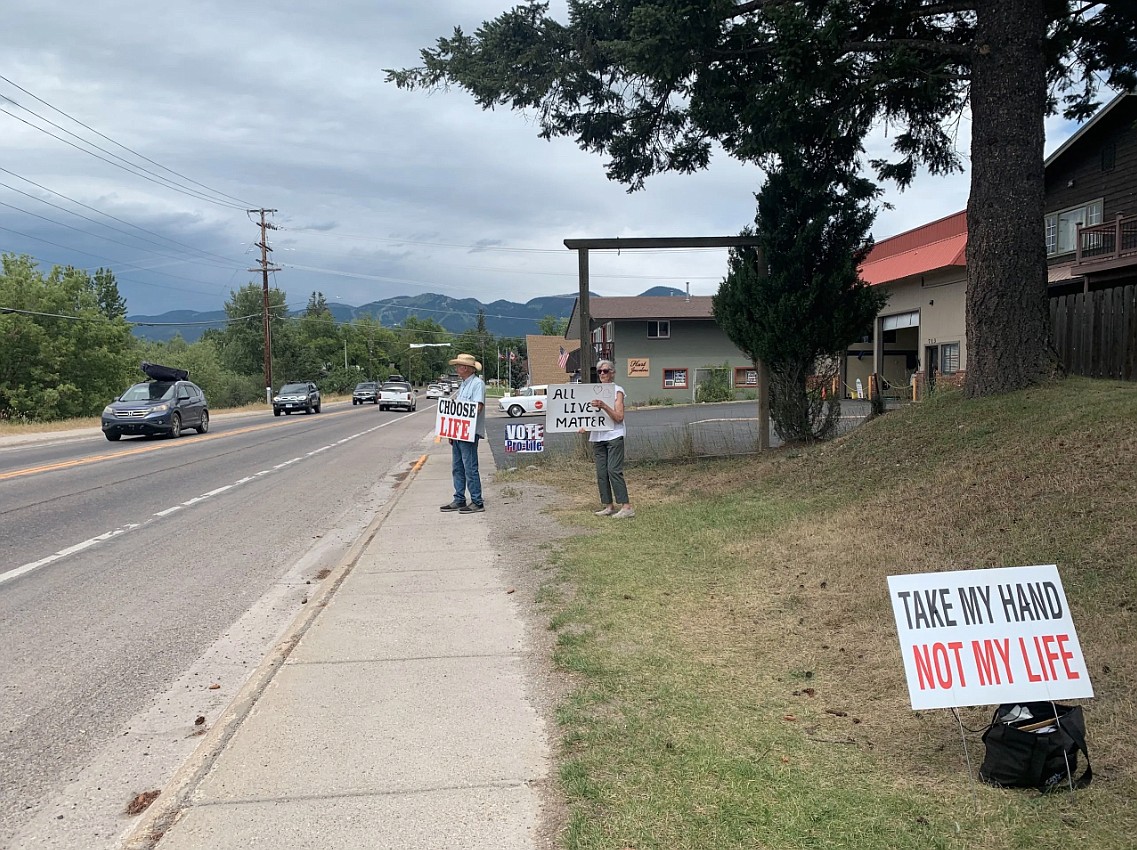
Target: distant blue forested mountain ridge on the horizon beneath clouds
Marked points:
503	319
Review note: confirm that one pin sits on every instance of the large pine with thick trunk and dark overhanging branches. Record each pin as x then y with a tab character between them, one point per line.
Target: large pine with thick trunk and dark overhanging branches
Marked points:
655	84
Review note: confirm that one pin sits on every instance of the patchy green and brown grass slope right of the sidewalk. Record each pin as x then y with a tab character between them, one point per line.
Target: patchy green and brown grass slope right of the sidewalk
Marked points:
740	684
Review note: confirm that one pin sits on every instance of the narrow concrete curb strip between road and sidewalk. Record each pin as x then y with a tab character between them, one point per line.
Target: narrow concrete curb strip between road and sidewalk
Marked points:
167	810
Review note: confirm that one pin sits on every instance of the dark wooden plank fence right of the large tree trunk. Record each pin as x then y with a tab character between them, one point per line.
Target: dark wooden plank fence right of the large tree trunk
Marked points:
1097	332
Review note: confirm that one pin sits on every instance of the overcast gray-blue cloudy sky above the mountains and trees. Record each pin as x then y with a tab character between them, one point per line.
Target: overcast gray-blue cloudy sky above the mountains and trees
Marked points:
379	193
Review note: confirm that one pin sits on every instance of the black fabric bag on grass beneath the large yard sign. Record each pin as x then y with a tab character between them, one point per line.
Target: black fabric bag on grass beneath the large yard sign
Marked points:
1036	748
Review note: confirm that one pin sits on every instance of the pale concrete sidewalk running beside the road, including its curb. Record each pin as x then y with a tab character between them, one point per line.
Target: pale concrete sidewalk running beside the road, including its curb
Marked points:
399	713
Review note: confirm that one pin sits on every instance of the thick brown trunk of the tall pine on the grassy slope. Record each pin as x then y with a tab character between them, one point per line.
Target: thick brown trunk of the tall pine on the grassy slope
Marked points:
1008	322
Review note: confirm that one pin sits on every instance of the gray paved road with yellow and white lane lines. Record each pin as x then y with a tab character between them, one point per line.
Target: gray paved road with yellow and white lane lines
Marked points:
136	576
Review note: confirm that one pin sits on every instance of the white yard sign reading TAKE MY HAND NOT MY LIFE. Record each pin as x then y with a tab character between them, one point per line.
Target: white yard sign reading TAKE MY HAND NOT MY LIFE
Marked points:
986	637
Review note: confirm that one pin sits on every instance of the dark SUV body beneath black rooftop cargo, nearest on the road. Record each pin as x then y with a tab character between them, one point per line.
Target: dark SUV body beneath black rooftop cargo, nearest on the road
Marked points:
155	409
